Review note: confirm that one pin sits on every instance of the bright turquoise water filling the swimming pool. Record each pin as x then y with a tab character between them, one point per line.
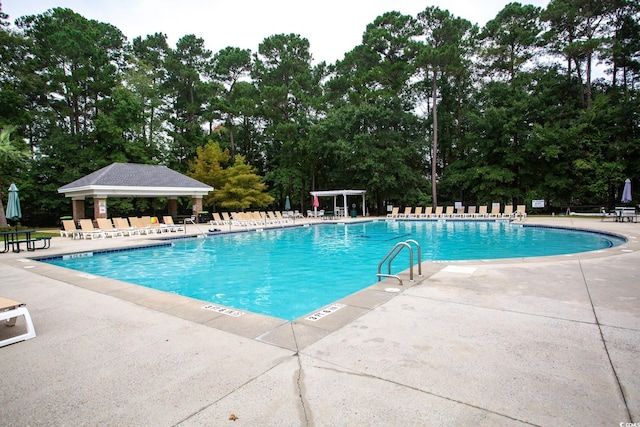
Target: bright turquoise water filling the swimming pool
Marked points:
288	273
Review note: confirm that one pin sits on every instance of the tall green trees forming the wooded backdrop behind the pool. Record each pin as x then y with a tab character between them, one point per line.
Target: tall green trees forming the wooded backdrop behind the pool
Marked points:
427	110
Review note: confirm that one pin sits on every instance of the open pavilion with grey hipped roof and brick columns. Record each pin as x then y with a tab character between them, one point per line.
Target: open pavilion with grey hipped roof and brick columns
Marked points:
133	180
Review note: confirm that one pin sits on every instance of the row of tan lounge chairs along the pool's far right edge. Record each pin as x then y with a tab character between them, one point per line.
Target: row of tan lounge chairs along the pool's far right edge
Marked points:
471	212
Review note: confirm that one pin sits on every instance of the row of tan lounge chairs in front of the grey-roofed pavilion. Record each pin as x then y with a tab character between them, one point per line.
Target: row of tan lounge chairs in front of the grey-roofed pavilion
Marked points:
117	227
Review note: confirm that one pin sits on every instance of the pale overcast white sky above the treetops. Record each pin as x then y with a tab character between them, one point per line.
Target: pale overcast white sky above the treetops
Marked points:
333	27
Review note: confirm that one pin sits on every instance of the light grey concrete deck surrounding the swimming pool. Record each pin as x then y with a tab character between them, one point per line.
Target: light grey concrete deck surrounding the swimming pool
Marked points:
547	341
